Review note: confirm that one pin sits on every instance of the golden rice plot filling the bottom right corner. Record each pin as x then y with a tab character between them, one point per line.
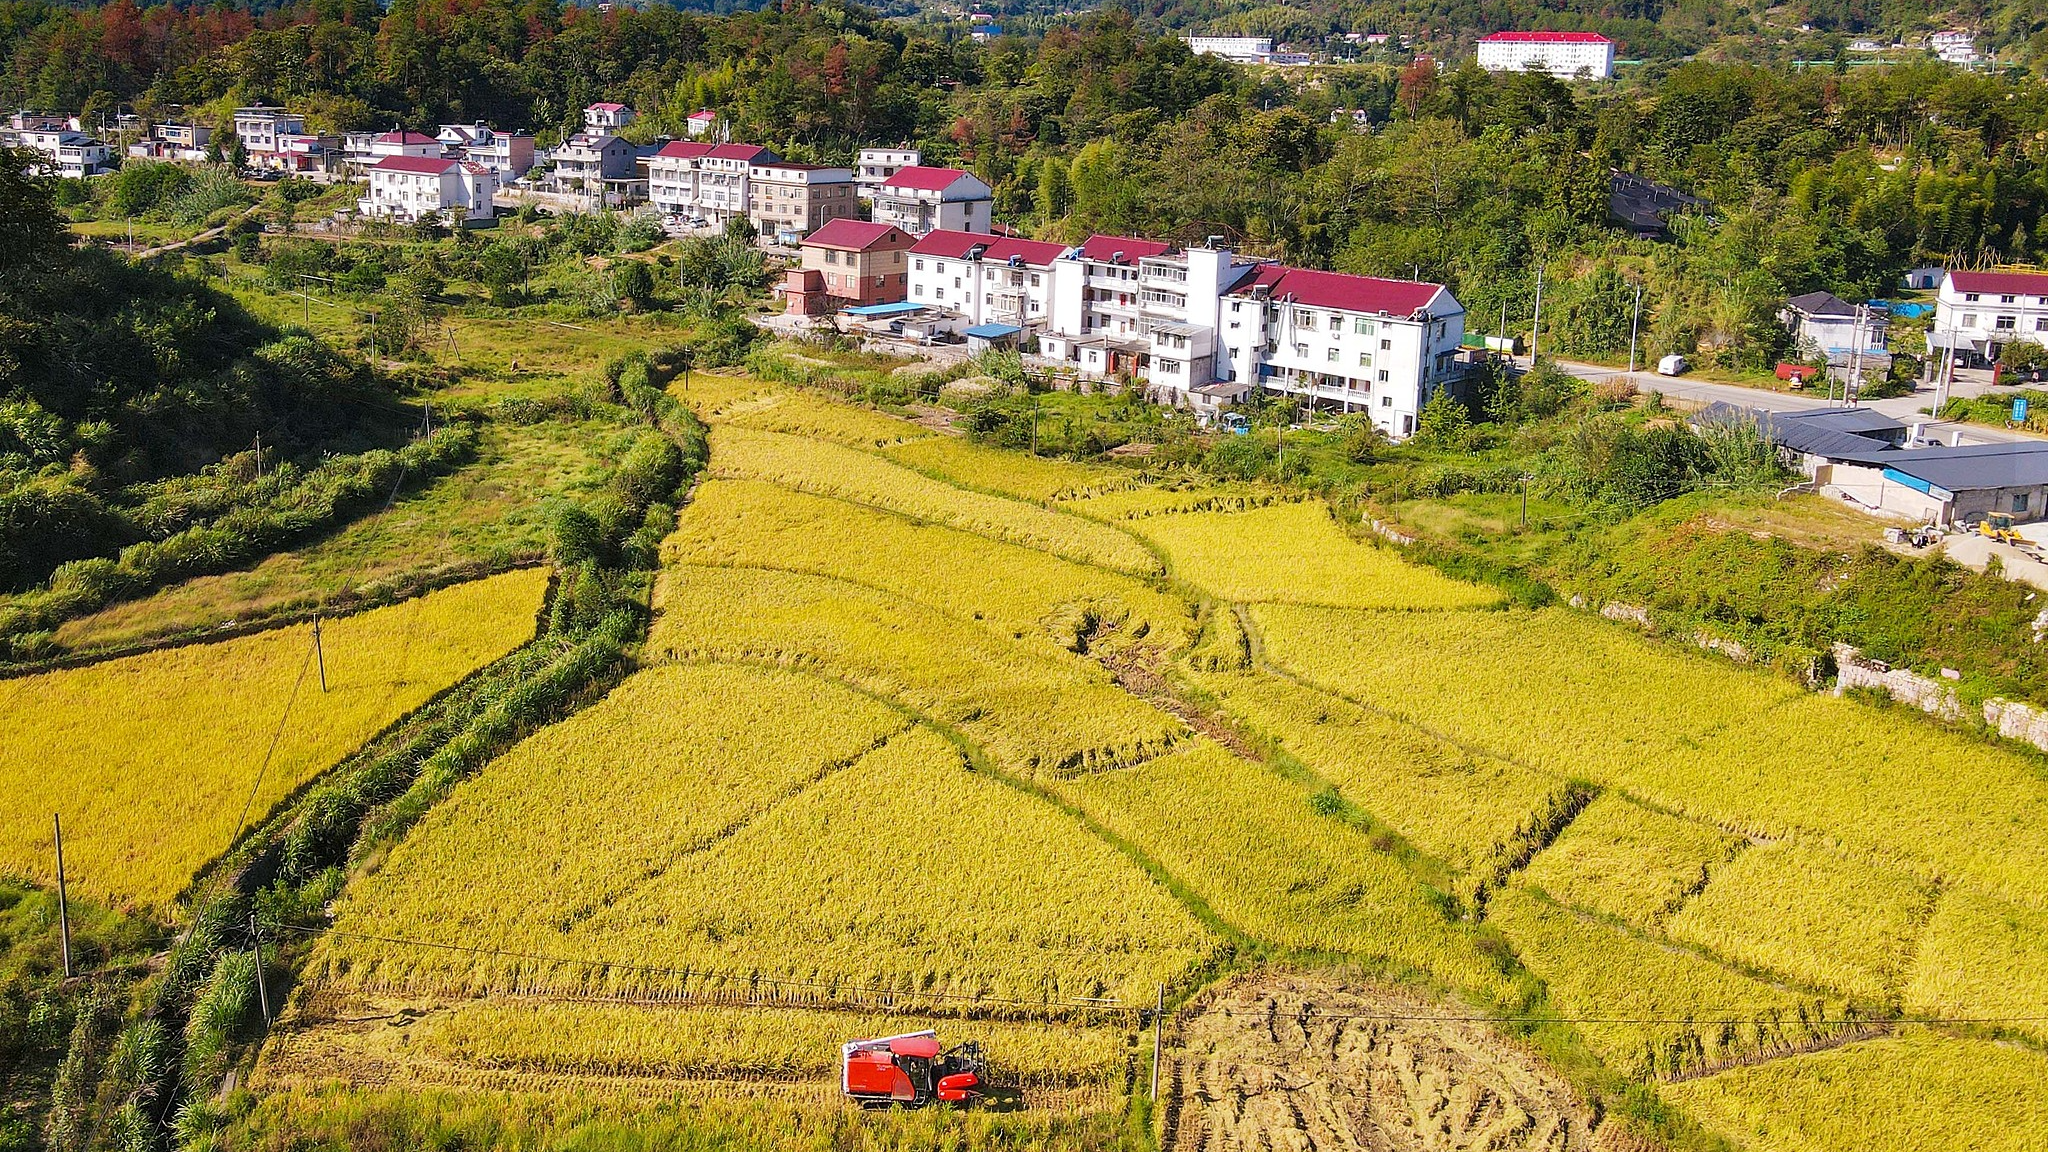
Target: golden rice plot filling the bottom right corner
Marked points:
1902	1094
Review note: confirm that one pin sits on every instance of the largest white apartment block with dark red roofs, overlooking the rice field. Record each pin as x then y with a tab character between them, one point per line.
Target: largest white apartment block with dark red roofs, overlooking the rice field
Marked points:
1203	327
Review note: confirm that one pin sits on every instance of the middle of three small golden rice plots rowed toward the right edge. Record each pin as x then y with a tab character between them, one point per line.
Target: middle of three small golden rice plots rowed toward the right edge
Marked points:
1814	917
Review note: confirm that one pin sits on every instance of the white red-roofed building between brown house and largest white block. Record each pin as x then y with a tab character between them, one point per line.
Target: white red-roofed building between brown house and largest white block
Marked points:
986	280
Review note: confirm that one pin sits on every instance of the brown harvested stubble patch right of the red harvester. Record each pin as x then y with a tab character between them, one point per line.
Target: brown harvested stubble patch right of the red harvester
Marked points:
1281	1061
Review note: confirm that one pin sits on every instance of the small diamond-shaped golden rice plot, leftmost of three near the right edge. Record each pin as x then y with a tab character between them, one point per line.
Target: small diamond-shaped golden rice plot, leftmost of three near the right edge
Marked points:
1629	862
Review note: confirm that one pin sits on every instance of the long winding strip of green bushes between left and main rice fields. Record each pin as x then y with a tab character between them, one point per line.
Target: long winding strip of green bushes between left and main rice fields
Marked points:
157	1051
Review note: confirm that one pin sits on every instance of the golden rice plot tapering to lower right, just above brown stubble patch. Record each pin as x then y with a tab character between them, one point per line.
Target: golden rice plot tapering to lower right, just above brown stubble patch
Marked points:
1252	848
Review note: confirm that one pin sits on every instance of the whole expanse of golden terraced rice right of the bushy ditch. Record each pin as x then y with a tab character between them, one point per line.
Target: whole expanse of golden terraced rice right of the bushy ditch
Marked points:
933	735
